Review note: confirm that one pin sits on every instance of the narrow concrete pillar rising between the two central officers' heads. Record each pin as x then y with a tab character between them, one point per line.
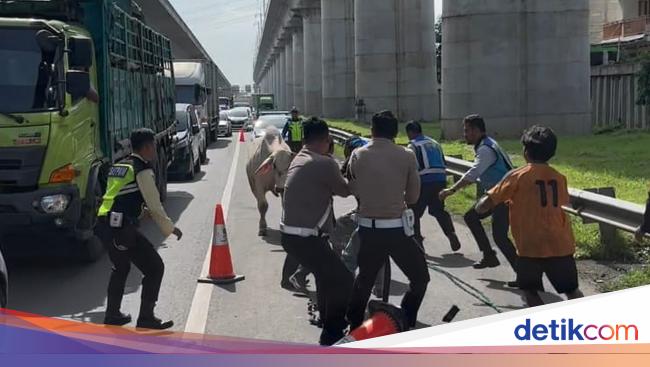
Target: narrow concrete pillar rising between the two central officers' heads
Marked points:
338	58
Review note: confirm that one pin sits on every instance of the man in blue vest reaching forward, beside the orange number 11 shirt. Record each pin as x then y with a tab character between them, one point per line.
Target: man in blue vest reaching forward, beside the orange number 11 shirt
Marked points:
491	164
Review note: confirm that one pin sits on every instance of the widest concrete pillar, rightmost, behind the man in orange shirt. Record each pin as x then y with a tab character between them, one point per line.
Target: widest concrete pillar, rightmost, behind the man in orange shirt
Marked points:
500	61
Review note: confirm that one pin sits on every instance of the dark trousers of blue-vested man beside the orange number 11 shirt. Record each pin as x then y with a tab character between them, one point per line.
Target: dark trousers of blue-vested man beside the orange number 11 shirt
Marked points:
500	227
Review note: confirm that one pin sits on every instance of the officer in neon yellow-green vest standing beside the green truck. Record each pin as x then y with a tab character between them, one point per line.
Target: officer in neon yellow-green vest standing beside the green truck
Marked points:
131	192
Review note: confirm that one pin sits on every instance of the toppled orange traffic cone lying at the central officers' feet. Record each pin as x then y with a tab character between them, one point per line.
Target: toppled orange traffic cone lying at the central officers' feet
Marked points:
385	319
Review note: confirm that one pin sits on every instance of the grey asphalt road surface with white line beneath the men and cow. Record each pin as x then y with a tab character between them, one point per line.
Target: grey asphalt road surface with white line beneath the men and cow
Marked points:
256	307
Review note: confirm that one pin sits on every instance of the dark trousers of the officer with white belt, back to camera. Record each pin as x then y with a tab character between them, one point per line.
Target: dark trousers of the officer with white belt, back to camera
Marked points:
376	246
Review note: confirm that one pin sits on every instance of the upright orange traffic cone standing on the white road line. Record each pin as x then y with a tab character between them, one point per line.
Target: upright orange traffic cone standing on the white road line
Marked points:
221	270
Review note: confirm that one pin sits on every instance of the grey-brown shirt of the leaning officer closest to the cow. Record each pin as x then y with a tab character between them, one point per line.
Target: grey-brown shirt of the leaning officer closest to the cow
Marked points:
312	180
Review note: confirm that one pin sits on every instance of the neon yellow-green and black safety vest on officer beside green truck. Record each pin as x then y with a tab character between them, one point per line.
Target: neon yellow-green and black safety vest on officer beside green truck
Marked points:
122	192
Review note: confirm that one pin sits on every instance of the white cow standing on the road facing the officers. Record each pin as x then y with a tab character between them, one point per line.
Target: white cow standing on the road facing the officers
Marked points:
267	170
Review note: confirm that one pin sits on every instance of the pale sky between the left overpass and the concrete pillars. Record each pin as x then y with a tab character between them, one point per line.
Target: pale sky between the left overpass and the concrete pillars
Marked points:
228	31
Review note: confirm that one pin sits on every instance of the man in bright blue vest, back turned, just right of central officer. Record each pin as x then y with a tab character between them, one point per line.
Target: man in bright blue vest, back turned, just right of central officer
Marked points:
433	178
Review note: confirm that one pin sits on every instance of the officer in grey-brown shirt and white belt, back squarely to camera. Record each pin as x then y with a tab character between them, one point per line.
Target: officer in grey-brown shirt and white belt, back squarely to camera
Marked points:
384	225
